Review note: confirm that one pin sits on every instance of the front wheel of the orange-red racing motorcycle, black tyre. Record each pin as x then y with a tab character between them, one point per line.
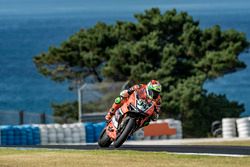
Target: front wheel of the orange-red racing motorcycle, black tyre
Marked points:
124	133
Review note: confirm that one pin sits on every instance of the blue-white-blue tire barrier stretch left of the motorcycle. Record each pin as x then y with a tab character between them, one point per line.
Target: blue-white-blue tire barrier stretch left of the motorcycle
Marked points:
50	134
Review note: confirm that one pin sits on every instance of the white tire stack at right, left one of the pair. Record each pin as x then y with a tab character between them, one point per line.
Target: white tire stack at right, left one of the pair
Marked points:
229	127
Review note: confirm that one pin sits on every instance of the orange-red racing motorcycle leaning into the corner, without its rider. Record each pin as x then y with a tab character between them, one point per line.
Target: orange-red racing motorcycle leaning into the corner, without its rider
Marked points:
130	117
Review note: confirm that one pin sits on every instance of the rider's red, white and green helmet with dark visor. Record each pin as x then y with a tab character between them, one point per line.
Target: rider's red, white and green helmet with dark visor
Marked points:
153	89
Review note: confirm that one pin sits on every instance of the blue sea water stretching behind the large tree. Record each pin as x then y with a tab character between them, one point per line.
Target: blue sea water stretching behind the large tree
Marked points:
29	27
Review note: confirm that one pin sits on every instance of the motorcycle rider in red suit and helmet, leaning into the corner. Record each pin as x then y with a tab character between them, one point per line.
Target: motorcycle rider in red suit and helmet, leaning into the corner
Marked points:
151	91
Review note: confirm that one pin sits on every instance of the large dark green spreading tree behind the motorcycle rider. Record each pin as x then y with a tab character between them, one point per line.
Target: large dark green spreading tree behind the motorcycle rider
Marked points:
167	46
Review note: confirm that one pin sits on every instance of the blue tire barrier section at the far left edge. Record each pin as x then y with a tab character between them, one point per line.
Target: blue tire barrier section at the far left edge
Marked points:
20	135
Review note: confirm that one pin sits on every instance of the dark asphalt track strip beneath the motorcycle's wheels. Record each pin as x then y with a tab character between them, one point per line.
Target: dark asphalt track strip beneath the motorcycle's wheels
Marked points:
230	150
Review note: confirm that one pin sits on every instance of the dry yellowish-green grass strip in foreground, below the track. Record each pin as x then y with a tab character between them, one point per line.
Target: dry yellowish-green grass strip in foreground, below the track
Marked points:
108	158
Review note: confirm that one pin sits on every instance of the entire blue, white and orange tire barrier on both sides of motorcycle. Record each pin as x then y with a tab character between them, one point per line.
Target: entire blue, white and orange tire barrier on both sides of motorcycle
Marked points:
76	133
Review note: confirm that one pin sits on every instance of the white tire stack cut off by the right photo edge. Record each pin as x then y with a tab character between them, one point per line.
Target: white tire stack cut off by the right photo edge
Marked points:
243	127
